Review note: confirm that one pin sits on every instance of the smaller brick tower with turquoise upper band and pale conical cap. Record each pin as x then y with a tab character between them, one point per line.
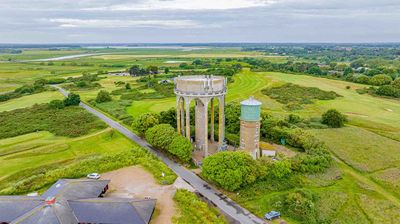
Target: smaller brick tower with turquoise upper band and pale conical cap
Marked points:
250	127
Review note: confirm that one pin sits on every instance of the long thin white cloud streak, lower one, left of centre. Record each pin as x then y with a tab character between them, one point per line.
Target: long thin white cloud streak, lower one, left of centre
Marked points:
116	23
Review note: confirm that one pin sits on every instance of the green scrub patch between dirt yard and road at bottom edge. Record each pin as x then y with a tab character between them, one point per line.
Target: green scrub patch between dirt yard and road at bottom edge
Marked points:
192	210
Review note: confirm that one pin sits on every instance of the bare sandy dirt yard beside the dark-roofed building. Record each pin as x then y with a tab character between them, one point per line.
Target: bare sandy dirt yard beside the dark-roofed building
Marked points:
136	182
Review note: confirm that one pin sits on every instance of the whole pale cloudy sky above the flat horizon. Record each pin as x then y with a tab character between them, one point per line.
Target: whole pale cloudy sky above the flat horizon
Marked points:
199	21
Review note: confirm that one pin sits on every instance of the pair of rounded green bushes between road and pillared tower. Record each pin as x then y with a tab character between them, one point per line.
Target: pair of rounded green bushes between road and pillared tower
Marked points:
164	137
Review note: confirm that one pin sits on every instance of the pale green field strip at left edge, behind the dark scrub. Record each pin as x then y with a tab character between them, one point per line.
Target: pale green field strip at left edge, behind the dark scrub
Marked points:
30	100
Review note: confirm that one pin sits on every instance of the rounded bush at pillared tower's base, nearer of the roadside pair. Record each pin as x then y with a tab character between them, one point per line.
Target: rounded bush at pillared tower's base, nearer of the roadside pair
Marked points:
181	147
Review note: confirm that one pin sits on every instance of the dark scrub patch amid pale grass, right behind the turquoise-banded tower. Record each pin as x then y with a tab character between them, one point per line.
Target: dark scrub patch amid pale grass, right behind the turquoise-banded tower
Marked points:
295	94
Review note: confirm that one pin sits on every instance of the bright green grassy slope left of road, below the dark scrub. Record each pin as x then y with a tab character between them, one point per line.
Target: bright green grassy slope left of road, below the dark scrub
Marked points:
42	148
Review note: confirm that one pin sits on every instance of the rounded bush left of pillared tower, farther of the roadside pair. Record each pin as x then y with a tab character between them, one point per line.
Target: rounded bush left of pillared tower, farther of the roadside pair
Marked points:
160	136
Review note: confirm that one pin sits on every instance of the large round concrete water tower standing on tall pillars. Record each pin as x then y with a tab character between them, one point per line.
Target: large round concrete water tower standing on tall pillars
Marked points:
203	90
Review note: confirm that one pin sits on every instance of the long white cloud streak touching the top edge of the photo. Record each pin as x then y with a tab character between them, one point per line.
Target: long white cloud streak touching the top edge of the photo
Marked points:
185	5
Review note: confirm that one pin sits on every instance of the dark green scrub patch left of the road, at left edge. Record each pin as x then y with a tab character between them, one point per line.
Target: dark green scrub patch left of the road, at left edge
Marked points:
71	121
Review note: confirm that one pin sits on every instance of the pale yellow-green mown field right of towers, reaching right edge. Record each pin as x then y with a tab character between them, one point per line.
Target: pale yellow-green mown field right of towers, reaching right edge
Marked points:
363	108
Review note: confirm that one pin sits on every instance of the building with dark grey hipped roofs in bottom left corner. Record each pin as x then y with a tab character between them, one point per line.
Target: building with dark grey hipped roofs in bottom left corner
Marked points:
74	201
